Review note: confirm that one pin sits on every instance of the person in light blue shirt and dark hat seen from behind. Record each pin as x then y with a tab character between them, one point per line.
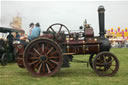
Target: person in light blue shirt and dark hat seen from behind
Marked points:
35	32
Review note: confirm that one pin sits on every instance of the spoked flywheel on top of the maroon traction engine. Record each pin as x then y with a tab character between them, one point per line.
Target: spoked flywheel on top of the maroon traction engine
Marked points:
61	26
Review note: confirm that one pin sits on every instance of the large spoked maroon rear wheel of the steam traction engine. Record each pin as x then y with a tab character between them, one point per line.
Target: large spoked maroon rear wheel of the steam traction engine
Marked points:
47	63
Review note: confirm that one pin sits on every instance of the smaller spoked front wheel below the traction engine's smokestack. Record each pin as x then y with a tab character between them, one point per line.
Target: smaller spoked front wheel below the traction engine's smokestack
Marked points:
106	67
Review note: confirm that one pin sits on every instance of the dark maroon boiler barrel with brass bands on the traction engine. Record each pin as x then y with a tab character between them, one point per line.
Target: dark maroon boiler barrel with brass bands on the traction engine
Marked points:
83	47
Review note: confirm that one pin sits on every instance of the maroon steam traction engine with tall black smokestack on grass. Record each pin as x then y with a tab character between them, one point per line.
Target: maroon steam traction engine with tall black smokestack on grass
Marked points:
44	56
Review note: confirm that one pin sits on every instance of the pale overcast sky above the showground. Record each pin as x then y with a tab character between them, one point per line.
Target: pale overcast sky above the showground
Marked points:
70	13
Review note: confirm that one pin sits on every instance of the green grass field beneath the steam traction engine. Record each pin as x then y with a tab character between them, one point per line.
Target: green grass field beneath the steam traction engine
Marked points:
77	74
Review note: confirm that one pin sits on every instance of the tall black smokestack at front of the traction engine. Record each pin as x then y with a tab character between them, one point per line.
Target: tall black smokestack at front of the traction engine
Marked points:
101	11
